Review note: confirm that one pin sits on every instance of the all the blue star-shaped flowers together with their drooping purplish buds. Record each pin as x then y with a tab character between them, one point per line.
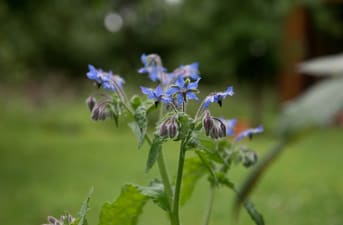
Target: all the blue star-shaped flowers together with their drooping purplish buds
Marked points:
176	89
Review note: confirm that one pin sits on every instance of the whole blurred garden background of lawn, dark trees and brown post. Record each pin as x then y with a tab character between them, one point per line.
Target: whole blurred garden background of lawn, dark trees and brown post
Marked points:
51	153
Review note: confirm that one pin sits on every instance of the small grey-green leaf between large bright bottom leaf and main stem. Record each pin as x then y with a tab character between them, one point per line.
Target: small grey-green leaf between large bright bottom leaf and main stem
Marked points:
156	192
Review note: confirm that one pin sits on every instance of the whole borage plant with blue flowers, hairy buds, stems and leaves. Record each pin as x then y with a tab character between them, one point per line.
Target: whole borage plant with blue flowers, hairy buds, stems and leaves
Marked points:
205	135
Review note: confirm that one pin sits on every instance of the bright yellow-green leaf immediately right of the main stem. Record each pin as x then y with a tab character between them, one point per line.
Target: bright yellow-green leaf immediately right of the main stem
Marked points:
194	169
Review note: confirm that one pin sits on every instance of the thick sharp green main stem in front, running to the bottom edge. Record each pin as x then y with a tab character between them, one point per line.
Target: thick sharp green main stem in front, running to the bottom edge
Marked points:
176	199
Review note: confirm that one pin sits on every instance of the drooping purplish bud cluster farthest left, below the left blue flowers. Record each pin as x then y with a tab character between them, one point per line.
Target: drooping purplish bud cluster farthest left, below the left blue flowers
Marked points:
99	110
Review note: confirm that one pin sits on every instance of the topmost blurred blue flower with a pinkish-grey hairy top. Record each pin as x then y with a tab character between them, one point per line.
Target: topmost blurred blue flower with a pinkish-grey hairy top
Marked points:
152	66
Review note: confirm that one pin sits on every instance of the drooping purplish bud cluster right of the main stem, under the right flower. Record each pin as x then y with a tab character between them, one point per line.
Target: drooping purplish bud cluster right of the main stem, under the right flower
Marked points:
214	127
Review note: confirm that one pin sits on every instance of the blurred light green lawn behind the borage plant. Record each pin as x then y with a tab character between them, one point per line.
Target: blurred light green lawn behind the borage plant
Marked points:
52	154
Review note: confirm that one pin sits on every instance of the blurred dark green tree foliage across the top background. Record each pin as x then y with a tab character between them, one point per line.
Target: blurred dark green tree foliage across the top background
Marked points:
226	37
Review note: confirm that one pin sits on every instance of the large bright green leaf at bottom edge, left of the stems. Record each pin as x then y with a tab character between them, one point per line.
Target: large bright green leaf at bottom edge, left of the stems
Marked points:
126	209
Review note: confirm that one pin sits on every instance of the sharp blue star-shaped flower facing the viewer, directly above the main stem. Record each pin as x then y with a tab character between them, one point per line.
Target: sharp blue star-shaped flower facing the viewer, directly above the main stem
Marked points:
183	90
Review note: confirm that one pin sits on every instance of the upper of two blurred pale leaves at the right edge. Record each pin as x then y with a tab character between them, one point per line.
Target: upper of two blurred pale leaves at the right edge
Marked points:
323	66
